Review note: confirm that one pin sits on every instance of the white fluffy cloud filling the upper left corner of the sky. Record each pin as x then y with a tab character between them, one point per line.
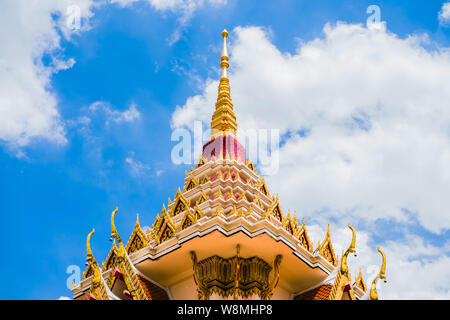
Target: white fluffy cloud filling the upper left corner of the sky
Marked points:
28	105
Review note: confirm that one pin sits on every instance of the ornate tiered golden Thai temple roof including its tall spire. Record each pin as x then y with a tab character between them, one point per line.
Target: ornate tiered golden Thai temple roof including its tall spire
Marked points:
223	236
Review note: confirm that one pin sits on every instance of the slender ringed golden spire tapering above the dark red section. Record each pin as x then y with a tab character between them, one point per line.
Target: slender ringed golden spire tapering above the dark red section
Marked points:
224	119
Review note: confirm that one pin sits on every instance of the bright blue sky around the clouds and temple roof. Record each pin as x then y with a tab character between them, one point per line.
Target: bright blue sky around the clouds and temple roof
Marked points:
53	193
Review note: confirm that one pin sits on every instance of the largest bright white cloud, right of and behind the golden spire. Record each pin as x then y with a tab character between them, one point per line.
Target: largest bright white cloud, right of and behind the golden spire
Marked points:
375	109
